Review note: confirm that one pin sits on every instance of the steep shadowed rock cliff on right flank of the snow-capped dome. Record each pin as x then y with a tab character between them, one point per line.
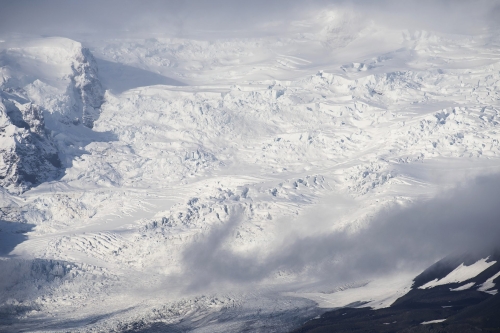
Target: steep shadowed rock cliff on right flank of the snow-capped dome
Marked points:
88	87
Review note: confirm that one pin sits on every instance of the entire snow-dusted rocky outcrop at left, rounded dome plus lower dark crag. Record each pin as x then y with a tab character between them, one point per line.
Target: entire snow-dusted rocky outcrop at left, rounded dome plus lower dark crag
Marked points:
55	77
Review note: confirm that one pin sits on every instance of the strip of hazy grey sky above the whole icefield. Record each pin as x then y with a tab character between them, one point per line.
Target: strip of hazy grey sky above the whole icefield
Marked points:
182	17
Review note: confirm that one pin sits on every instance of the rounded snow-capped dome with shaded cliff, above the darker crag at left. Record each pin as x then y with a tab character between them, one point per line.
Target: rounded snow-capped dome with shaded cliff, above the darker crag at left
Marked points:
58	74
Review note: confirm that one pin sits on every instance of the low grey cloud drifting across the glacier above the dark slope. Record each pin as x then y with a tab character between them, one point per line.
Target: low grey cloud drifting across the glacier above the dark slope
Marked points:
402	238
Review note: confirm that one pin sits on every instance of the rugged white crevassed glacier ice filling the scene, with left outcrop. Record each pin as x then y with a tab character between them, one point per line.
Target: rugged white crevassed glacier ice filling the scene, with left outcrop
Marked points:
189	132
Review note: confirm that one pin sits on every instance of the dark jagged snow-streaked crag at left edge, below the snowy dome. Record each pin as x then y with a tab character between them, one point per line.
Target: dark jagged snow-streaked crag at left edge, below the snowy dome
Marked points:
27	153
